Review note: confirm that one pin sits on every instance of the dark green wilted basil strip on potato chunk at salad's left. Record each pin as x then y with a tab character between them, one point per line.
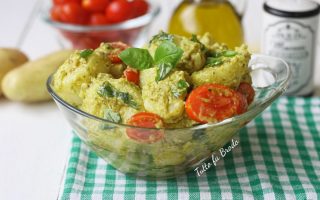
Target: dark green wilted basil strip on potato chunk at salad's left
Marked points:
107	90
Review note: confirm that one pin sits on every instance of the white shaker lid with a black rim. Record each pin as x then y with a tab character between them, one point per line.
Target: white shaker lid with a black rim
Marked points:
292	8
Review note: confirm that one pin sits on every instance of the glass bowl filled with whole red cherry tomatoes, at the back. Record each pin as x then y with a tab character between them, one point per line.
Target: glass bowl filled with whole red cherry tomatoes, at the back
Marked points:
84	24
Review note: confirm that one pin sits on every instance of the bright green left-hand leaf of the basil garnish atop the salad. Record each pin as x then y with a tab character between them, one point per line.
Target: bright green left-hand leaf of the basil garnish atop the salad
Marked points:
137	58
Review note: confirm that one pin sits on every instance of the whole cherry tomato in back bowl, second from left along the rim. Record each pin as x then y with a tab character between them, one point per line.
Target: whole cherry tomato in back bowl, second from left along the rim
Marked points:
73	13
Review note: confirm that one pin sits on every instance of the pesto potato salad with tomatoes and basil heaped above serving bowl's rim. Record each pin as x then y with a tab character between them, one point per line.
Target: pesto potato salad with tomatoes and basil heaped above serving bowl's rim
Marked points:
172	82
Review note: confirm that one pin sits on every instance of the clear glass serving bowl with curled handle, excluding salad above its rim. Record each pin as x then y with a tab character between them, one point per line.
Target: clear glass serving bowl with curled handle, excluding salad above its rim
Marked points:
182	149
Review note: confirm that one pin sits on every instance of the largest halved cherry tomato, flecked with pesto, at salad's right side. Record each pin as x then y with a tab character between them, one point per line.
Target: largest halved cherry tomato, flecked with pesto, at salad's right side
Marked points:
213	103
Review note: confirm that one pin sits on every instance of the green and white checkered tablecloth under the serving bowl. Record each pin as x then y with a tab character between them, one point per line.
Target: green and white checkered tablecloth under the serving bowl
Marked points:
278	157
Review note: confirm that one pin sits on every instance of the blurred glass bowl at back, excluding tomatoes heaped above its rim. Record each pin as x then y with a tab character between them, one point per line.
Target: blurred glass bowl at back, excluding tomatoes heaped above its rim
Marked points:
132	31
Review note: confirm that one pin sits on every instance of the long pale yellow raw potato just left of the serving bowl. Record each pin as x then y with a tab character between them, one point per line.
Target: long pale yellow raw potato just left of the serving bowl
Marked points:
28	82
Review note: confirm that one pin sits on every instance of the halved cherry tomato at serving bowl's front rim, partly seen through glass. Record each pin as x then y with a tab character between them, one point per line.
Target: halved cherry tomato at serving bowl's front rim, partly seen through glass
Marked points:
145	120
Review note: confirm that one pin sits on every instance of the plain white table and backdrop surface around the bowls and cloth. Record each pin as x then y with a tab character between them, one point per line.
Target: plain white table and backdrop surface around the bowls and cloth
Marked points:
34	138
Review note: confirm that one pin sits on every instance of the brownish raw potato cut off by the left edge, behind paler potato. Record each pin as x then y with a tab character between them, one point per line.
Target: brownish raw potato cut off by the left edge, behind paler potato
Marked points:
9	59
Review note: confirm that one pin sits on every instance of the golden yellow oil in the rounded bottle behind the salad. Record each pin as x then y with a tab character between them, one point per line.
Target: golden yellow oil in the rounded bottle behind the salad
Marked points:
217	17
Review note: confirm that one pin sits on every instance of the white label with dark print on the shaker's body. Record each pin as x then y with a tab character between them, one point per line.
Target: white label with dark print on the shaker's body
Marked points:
293	42
